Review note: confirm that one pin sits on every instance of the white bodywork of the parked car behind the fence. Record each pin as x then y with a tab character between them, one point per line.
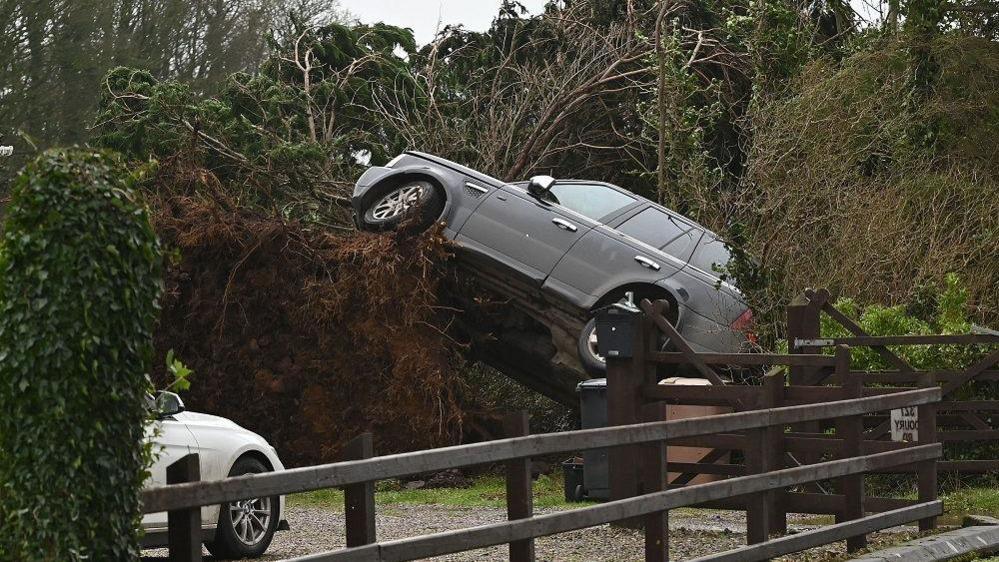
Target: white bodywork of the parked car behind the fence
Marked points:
218	441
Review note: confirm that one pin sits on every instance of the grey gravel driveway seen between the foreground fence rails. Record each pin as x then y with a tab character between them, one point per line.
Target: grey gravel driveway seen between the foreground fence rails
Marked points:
692	533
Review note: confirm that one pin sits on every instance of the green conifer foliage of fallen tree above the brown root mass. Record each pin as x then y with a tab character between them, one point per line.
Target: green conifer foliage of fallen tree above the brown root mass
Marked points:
284	138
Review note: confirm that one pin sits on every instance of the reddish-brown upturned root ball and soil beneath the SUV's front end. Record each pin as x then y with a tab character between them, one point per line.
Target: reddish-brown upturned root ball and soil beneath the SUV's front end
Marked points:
309	337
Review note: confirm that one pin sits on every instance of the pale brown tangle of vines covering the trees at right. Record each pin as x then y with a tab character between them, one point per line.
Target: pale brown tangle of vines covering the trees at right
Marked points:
836	194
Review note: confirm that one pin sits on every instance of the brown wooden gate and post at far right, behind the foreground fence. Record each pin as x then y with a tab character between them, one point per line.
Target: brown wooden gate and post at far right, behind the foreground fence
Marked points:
961	420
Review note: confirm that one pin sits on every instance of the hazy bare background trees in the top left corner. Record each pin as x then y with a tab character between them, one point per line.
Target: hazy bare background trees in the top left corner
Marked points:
54	53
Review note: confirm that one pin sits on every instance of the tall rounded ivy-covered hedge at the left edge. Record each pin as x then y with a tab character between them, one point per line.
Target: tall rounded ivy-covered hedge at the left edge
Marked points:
80	279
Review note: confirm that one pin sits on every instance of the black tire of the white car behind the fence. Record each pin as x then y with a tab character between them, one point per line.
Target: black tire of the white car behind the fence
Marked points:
227	543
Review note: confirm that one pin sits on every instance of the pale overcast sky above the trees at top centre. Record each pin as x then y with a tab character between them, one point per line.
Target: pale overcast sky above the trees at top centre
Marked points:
424	16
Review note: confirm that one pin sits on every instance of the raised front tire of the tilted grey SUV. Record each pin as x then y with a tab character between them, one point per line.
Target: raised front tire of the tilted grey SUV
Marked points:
429	206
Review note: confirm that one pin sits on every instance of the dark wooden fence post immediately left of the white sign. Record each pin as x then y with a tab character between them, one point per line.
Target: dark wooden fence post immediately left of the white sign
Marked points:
851	431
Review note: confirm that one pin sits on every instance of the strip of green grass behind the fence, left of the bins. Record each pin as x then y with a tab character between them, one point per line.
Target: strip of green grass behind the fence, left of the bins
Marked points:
486	491
